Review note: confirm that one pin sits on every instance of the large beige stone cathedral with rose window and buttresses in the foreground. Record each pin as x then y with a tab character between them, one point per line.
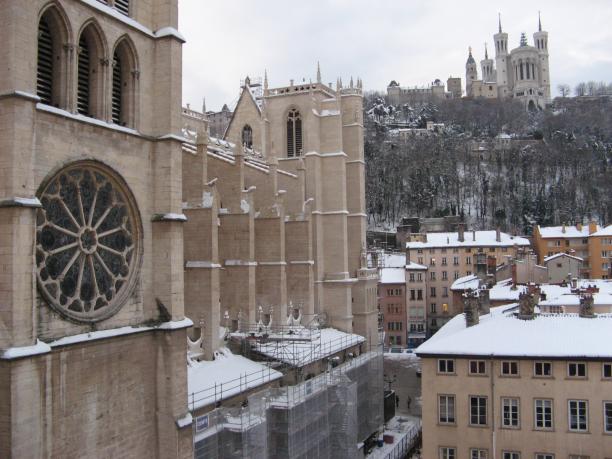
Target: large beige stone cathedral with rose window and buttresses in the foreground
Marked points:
118	233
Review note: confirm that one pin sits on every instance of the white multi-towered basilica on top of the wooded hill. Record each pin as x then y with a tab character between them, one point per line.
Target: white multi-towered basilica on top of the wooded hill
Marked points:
522	73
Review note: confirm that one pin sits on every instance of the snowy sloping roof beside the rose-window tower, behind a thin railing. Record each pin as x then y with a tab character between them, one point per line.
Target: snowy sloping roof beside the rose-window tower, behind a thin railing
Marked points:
226	376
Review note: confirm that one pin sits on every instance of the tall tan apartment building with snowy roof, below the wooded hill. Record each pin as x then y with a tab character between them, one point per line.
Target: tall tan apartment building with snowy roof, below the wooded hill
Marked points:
451	255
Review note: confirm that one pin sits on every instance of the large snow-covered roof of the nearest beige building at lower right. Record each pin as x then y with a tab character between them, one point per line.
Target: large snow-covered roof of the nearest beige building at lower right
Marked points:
501	334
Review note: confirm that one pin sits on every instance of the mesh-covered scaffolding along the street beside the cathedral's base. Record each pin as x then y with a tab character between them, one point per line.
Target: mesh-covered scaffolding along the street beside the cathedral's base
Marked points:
322	417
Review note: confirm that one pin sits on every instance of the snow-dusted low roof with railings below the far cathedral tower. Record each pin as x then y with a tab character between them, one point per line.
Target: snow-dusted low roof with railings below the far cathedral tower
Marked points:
301	352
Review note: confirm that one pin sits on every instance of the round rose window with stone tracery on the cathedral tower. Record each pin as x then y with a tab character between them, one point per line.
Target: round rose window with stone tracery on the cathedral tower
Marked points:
87	242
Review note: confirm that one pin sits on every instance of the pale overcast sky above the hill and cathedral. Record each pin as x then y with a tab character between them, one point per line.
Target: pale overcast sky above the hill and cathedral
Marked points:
413	42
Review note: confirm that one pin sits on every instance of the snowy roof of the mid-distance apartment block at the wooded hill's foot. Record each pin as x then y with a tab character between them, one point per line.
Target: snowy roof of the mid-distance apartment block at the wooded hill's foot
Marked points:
471	239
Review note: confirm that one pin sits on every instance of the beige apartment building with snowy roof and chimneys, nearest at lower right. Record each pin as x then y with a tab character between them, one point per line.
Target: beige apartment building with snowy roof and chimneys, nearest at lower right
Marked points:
511	385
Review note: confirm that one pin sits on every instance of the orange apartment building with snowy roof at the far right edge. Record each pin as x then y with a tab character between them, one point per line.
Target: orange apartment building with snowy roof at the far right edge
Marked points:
590	242
